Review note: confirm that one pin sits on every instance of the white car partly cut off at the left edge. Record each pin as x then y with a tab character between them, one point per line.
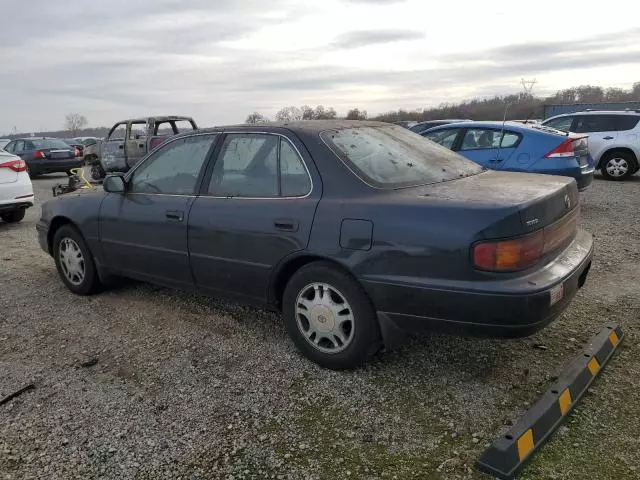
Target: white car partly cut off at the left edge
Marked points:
16	191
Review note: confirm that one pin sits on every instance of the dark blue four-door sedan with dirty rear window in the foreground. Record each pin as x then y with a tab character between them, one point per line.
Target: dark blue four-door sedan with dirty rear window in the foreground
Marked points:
356	231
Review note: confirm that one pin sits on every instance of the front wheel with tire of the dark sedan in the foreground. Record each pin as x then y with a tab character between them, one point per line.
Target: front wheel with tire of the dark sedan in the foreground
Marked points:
74	261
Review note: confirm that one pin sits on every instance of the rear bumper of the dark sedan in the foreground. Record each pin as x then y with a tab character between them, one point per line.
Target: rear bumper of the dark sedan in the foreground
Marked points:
500	308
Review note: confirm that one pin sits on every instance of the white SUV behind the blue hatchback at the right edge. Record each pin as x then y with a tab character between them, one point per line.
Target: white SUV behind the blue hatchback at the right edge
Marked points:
614	139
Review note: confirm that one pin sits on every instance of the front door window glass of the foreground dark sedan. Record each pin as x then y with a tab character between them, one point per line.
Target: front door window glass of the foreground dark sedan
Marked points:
174	168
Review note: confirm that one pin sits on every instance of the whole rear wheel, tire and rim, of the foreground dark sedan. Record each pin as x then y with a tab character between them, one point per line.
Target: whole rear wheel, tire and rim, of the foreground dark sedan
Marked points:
330	317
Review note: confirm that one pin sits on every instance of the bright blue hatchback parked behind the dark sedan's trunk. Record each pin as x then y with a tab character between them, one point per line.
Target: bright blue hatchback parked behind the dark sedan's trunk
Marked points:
516	147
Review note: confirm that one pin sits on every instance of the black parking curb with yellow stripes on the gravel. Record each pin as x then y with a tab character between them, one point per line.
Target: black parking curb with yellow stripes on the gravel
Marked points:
509	453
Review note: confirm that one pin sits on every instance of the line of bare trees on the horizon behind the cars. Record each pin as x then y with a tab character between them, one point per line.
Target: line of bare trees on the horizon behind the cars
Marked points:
515	107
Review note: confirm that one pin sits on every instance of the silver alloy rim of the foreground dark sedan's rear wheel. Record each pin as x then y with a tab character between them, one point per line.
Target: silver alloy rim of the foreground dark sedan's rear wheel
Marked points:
325	318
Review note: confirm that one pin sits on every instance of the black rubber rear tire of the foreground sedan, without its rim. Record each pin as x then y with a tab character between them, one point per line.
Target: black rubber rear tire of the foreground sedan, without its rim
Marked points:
365	340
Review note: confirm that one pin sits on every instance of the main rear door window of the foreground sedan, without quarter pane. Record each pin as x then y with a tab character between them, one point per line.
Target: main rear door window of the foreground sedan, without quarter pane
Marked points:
246	167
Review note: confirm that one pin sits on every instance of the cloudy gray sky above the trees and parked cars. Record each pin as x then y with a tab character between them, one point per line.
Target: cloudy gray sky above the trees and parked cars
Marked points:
219	60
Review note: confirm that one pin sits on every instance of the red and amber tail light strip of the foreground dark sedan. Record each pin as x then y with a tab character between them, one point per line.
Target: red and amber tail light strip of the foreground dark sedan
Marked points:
520	253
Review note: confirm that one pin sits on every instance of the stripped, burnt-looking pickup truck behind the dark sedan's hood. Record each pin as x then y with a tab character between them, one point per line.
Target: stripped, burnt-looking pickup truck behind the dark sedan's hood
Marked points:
129	141
